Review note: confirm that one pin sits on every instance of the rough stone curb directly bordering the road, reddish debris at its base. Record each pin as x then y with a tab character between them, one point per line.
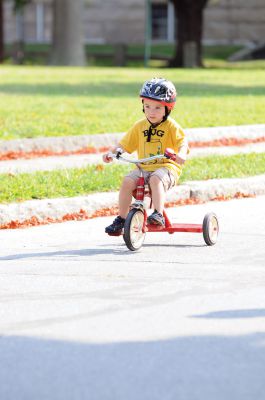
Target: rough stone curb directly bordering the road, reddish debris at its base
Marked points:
84	207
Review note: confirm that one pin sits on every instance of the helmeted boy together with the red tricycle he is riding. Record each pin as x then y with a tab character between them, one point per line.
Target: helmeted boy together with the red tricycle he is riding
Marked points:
162	149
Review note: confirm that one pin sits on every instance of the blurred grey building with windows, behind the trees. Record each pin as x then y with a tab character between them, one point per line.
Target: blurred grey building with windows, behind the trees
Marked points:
116	21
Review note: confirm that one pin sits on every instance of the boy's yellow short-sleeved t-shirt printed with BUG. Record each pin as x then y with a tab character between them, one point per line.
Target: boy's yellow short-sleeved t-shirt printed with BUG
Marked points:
167	134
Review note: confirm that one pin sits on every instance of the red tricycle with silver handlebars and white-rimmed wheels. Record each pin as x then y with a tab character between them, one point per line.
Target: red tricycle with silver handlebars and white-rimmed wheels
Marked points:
136	224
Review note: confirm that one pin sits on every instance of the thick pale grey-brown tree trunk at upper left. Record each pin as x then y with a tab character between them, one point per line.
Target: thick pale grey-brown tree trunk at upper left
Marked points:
68	40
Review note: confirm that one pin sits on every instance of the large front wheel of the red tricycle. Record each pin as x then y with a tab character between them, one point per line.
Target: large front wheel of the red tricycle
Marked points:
133	230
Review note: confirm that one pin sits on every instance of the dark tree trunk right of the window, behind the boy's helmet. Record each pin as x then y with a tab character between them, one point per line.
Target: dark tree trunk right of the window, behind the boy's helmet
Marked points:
189	17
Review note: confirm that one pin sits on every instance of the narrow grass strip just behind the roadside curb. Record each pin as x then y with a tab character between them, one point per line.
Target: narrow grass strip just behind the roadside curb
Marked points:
77	182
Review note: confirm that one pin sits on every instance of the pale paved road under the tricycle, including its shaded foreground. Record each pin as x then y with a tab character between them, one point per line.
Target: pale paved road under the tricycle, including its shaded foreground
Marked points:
82	317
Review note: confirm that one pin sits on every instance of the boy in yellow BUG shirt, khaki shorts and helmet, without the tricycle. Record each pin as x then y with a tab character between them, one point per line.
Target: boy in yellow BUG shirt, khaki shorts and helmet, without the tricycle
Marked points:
150	136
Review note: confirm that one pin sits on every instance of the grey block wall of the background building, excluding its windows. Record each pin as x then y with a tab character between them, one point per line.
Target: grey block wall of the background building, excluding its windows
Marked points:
123	21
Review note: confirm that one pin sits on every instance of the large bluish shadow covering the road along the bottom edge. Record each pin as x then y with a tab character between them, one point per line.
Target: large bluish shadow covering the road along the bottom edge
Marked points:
186	368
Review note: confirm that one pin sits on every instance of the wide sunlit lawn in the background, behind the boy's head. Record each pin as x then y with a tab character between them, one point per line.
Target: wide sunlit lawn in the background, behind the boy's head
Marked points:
51	101
